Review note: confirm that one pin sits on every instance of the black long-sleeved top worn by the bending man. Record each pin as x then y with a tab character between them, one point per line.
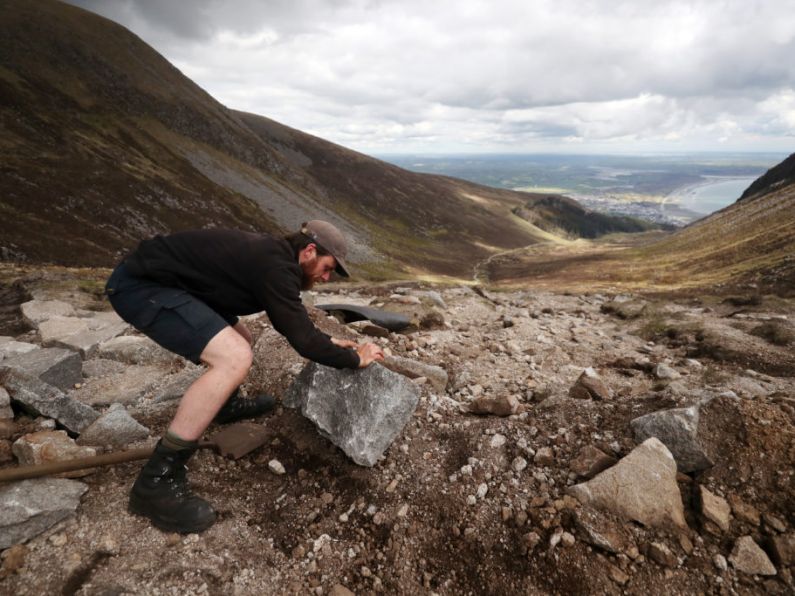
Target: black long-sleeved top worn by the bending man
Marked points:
240	273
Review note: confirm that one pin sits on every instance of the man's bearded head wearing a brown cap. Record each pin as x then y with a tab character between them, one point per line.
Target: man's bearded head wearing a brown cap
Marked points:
321	249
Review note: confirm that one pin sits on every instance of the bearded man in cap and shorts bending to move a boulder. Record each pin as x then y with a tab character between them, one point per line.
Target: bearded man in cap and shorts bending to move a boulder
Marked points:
186	291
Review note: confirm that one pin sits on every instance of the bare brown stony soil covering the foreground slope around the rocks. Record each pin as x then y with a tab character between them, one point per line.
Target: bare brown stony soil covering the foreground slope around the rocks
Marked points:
410	524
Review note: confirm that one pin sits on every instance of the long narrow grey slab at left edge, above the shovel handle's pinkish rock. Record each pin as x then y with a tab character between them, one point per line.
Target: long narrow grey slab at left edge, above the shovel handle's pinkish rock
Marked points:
40	398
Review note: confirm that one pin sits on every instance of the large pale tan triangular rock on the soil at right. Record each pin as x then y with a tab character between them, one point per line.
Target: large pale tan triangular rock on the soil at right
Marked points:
640	487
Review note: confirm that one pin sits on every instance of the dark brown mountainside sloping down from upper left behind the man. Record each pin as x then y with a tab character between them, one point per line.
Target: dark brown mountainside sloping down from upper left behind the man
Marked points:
106	143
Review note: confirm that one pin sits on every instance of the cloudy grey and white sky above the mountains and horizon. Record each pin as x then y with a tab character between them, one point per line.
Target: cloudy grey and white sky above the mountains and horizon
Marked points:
441	76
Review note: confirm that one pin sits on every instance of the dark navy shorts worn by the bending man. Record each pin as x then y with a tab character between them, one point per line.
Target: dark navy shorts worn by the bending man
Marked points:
172	317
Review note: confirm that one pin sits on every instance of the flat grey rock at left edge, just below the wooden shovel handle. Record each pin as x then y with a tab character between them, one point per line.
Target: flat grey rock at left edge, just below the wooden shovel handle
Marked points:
29	507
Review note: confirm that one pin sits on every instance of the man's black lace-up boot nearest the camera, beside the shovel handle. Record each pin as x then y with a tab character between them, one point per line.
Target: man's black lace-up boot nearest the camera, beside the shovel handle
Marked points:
162	494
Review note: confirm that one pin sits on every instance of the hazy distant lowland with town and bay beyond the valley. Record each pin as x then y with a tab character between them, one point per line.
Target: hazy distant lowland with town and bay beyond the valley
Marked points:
667	189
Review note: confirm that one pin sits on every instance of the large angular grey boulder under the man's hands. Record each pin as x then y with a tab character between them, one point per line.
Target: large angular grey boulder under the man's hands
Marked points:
360	411
